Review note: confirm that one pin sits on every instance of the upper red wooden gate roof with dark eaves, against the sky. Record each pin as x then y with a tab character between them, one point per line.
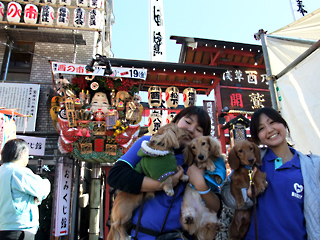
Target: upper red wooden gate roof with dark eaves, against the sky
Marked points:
217	53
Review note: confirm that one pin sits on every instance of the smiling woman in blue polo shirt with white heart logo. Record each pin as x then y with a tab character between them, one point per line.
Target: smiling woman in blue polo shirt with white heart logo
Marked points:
289	207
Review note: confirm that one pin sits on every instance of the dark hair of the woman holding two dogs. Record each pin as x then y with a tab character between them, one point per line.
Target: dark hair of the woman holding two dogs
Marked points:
204	120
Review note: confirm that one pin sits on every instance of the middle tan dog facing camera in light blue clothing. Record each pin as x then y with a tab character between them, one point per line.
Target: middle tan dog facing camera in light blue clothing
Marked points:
196	218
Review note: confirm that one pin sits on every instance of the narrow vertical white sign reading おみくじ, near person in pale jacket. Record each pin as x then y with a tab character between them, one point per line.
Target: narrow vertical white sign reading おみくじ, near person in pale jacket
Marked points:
63	197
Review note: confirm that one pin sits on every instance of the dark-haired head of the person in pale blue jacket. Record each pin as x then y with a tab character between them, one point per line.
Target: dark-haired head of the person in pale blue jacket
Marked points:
12	150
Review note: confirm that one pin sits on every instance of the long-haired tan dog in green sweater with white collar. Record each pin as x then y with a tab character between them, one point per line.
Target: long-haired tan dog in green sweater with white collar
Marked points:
158	162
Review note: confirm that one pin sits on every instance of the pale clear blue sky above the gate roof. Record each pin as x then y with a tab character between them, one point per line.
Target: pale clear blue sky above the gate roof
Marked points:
226	20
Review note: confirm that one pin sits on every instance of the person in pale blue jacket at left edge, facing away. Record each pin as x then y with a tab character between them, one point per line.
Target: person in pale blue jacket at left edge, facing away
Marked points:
21	193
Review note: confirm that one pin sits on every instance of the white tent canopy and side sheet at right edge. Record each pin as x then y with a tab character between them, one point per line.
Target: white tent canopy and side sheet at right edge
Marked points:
298	89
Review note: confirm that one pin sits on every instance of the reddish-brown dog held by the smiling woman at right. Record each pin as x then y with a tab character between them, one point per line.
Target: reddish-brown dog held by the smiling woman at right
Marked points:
243	156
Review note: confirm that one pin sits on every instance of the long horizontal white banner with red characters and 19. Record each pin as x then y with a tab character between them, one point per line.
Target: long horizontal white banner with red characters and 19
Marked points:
70	68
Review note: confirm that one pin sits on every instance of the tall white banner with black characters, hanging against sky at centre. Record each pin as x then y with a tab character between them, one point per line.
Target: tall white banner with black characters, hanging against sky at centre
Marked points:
157	47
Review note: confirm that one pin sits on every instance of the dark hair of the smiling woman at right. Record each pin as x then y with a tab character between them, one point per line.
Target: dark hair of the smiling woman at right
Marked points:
255	121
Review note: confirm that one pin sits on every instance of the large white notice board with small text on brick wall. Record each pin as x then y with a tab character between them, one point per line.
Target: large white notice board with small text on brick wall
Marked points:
24	98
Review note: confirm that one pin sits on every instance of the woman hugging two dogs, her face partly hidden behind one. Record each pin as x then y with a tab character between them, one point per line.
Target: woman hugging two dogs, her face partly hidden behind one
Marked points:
123	176
